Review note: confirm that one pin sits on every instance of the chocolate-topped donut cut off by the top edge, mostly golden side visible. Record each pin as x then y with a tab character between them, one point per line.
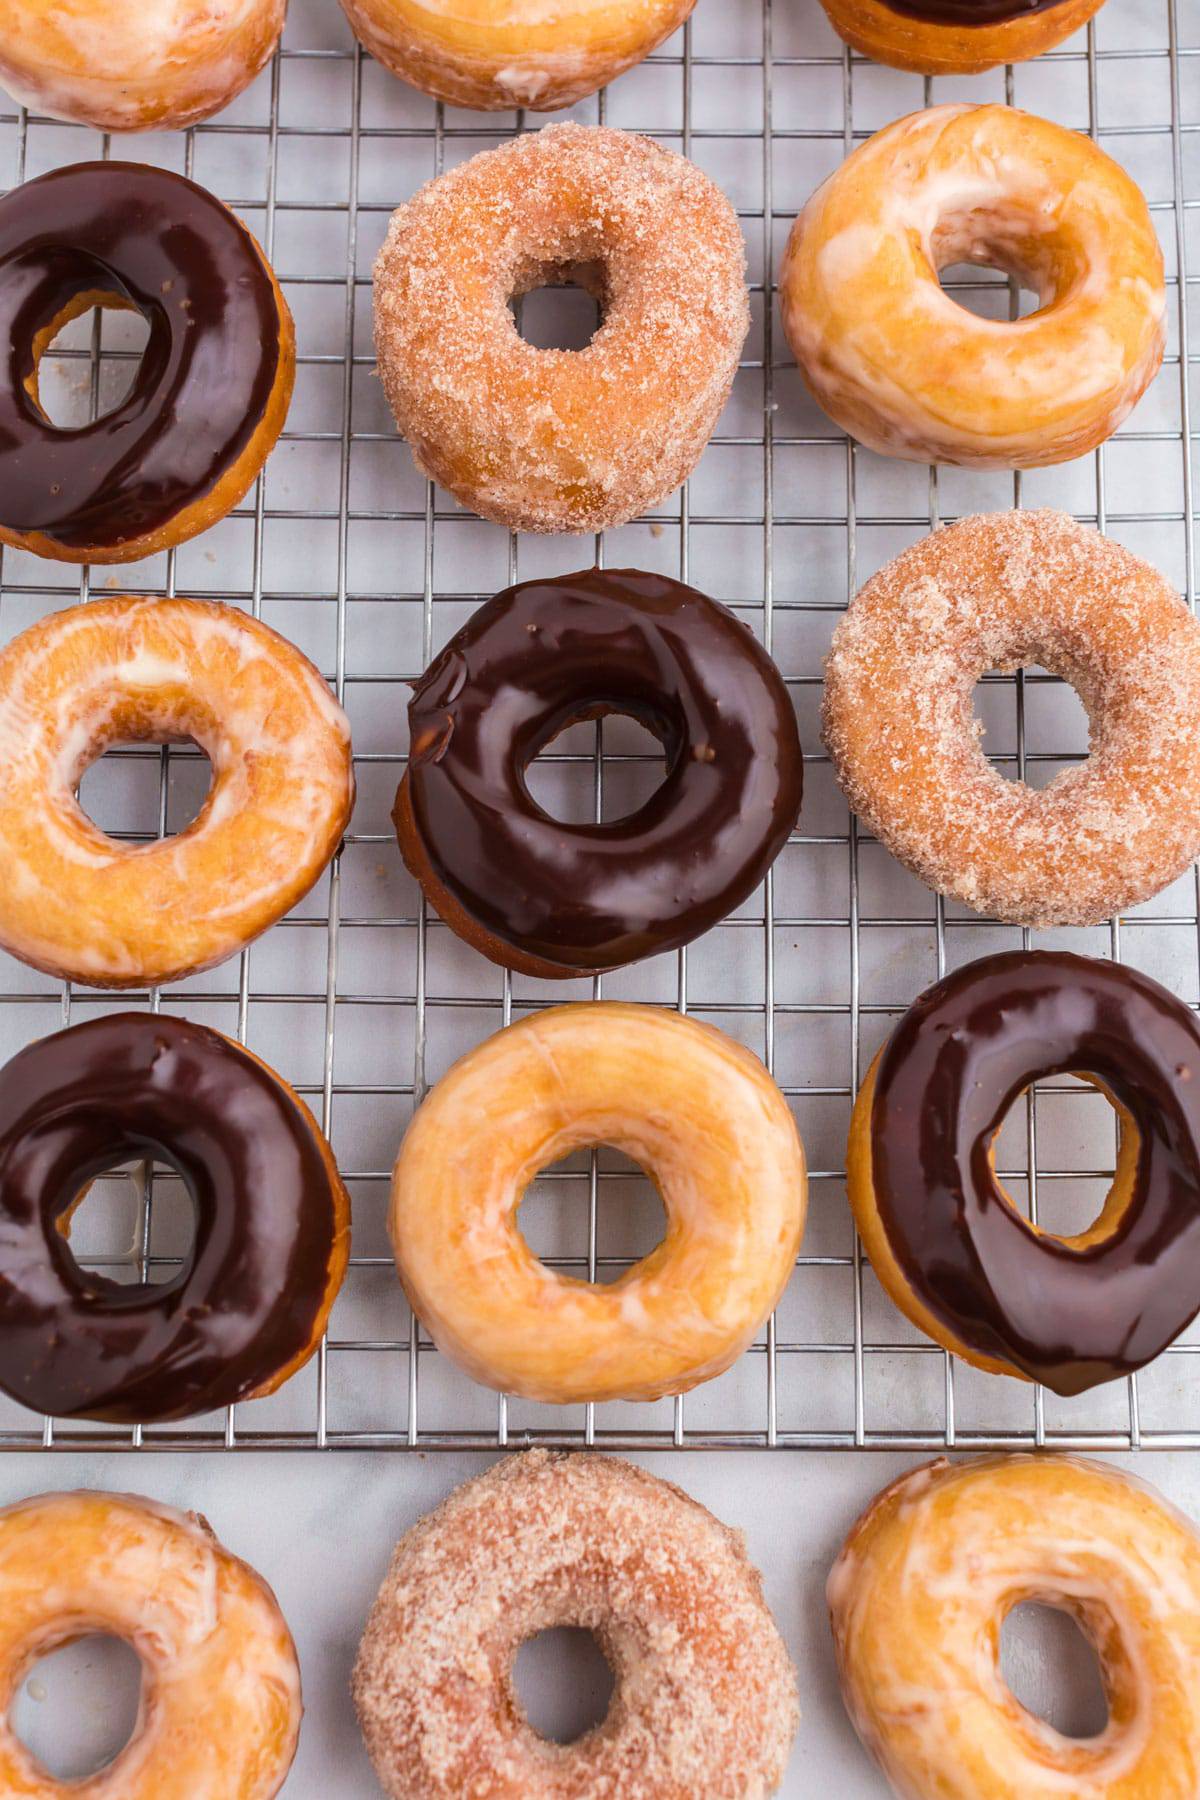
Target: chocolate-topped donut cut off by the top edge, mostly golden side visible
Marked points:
956	37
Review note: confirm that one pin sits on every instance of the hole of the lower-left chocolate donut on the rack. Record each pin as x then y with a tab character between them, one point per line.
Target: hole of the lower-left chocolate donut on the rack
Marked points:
132	1225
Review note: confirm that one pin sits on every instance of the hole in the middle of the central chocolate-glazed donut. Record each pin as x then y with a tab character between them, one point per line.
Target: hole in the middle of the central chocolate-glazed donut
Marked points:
600	769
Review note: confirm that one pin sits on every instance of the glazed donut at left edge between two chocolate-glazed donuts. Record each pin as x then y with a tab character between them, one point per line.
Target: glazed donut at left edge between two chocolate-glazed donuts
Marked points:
89	908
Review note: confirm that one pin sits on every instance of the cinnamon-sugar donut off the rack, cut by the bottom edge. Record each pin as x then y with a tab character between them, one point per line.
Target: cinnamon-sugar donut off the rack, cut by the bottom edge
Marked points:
704	1702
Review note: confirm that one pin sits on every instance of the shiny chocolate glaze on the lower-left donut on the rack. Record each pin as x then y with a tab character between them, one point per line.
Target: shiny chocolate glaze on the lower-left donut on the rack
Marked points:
246	1302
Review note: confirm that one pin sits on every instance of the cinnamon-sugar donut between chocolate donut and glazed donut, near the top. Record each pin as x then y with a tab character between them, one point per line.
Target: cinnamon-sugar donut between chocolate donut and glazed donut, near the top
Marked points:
553	440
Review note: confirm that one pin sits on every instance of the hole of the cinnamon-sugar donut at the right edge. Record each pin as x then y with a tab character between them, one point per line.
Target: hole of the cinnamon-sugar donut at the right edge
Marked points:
1030	730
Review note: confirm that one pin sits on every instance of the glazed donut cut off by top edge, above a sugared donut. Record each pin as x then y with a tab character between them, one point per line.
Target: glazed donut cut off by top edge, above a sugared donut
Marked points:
517	53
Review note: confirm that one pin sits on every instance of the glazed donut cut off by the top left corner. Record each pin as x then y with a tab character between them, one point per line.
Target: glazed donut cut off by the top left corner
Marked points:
148	67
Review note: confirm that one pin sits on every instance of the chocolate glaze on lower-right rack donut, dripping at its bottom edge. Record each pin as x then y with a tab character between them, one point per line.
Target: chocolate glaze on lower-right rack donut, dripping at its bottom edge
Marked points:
949	1075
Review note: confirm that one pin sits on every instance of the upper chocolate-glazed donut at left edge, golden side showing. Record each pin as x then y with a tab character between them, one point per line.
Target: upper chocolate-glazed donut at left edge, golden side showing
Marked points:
213	388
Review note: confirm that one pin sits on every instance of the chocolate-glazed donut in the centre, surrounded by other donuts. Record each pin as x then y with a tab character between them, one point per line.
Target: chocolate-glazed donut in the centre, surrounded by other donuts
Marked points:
562	901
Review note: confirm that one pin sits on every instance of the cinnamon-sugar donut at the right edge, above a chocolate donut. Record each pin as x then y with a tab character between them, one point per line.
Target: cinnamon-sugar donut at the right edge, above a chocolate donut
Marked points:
996	593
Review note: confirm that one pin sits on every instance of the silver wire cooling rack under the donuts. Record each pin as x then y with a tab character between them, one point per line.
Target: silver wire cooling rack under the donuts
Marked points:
361	998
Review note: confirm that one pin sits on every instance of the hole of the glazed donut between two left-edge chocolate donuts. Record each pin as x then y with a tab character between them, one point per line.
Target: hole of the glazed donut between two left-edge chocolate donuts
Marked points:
143	791
